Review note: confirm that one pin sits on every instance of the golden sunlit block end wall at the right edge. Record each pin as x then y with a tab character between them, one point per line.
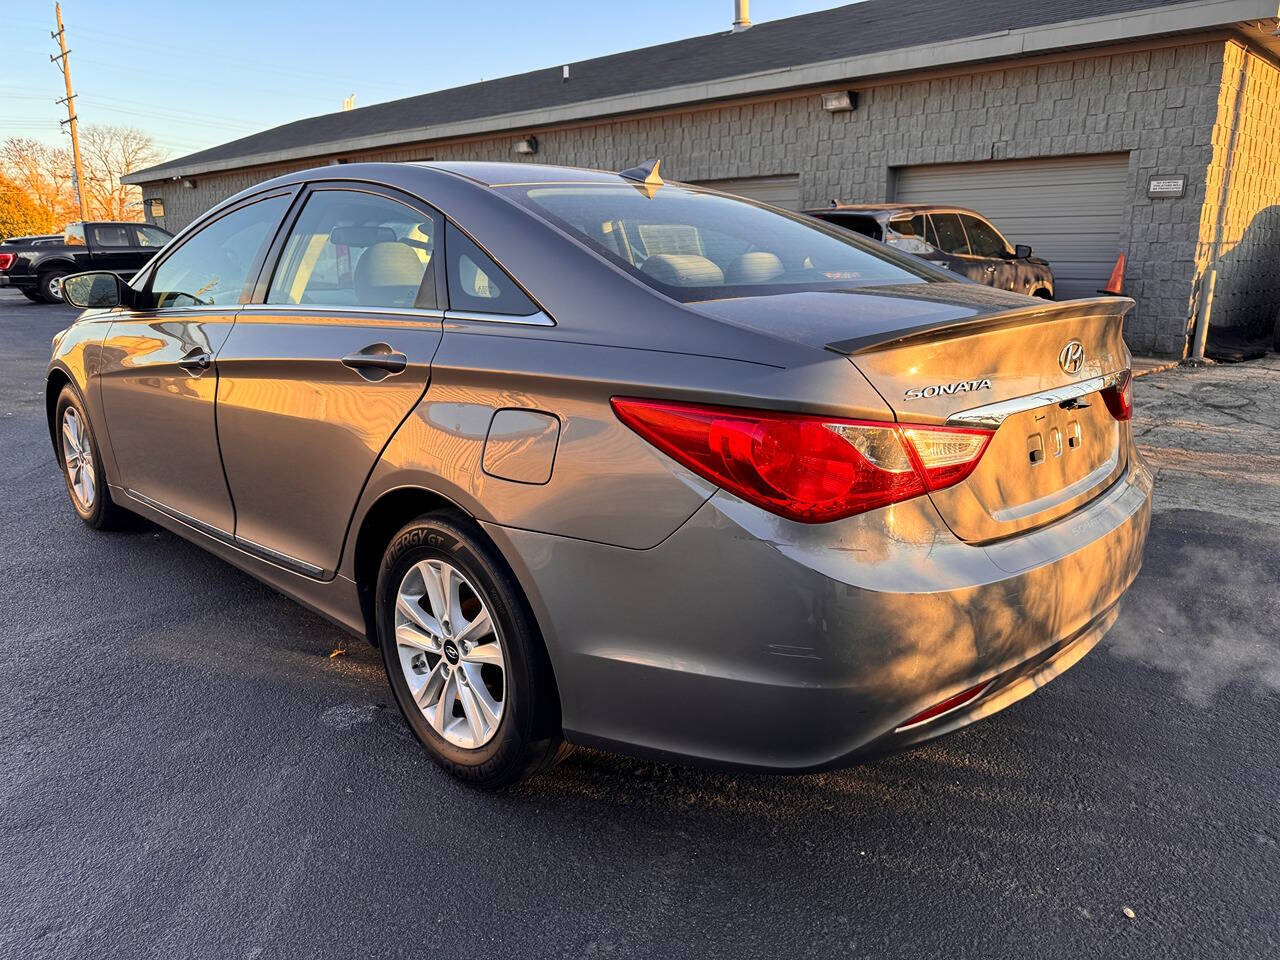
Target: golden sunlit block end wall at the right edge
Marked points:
1240	228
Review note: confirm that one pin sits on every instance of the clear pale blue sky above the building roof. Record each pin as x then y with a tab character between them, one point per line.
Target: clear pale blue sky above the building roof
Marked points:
195	75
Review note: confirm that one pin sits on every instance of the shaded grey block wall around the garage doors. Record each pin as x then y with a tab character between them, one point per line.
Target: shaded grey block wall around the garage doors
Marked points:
1158	106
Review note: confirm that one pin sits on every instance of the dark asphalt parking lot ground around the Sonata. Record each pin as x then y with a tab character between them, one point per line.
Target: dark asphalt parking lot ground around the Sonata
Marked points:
186	770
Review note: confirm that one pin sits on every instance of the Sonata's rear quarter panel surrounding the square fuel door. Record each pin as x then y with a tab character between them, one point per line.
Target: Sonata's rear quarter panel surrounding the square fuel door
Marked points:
607	484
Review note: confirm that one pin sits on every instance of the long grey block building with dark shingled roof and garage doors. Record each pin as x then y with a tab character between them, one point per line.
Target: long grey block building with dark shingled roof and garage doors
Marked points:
1089	130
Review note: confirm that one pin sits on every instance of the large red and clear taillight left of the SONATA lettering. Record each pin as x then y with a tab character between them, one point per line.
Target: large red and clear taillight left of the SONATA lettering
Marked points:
806	468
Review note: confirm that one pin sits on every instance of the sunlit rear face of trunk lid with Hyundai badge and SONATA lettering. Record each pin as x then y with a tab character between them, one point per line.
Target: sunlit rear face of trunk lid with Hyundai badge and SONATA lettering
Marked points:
1036	374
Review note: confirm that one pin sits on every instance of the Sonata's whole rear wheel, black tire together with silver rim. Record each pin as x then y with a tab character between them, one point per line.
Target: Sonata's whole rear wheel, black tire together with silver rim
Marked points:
449	679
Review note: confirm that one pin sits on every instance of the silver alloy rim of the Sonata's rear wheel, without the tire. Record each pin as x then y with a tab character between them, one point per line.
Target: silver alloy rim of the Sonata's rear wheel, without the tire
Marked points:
451	653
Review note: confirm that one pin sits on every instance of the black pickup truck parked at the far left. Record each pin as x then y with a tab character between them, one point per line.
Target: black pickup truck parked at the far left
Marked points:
38	268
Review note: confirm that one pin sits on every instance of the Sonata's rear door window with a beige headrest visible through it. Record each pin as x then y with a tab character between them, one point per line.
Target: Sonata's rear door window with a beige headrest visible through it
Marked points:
356	250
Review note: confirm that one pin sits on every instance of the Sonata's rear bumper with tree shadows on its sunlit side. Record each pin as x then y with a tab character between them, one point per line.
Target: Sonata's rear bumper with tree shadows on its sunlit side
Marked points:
751	641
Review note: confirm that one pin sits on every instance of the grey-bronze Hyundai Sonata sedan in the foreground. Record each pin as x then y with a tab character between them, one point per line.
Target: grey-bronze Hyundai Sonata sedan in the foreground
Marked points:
633	464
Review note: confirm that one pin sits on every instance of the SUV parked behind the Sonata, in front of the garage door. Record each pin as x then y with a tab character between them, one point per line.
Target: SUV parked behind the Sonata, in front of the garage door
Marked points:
954	239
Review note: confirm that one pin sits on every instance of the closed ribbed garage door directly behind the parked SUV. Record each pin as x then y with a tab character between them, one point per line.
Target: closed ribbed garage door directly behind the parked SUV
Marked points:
1068	209
